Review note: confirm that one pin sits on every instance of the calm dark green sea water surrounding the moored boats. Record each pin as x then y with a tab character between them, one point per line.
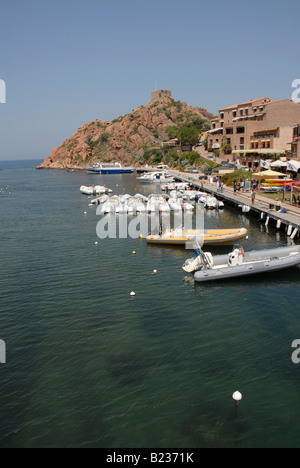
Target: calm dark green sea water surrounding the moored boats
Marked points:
87	366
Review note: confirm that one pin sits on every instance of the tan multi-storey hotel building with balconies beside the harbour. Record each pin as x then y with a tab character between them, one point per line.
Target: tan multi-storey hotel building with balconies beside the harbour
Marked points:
255	130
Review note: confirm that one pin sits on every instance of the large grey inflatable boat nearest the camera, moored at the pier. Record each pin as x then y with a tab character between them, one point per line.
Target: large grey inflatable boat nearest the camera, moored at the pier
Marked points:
239	264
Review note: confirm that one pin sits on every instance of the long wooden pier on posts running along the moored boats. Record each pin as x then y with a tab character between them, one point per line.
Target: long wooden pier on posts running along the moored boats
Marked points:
261	209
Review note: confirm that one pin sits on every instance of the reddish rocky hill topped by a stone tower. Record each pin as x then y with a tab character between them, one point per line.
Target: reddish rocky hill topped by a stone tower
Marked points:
126	139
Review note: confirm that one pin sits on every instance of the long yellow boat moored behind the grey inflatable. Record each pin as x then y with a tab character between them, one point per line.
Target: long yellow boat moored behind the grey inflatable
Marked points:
209	236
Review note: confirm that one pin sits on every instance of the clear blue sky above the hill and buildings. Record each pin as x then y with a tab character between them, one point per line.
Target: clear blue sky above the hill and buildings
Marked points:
67	62
